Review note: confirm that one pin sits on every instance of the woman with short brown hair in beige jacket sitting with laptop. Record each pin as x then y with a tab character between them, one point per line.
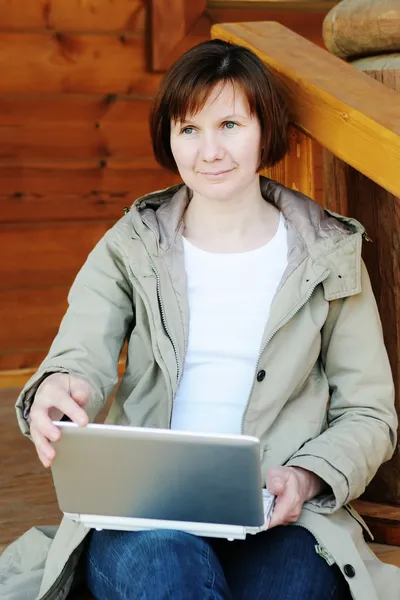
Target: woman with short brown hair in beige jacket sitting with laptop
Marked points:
245	306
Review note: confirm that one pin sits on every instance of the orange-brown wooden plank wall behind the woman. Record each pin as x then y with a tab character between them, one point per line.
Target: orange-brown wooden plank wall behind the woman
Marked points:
75	91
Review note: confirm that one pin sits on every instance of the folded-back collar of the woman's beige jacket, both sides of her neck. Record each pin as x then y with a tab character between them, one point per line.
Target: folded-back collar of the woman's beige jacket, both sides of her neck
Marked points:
328	240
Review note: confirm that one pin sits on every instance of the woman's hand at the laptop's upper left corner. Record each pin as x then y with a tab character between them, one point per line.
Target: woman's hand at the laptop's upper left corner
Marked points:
59	394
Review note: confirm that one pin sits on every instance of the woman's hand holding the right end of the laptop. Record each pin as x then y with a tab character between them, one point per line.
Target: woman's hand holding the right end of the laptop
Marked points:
292	487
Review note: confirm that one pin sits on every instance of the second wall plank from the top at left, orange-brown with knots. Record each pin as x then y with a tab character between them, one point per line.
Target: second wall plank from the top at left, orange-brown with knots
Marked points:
74	63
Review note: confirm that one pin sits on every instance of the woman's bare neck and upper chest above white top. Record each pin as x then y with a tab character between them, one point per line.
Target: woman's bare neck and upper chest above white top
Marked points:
237	224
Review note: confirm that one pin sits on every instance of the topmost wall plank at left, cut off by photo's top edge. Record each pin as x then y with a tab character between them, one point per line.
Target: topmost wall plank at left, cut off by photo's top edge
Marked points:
73	15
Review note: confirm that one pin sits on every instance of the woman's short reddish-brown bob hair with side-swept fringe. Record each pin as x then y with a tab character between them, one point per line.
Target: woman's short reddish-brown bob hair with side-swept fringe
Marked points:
189	82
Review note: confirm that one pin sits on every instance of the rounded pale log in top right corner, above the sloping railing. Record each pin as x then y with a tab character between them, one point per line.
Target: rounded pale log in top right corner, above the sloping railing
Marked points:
363	28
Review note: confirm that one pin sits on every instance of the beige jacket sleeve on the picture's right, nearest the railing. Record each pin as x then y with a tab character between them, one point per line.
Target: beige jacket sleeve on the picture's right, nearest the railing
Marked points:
361	420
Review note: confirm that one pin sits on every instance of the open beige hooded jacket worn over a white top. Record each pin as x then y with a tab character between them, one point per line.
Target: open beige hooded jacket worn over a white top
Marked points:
323	338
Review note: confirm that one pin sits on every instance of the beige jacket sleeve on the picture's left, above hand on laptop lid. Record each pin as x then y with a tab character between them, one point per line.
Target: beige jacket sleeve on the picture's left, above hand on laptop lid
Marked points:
92	332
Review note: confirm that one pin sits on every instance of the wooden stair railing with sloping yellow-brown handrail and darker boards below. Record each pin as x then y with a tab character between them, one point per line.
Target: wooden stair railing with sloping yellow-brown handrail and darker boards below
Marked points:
338	109
